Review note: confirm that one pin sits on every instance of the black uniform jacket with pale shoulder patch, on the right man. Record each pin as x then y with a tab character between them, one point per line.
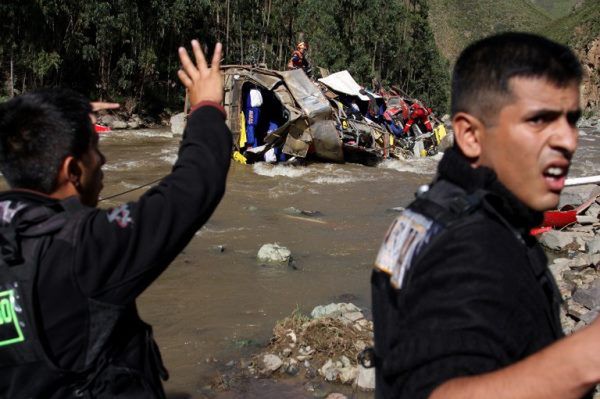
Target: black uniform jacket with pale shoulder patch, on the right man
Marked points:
462	299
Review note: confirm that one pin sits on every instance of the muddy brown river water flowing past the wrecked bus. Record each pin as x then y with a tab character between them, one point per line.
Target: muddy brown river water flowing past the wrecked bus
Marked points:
211	306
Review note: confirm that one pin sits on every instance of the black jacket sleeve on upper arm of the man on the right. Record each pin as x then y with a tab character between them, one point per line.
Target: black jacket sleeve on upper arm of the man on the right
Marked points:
459	313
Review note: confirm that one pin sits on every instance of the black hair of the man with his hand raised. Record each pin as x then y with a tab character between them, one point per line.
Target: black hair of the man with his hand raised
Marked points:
37	131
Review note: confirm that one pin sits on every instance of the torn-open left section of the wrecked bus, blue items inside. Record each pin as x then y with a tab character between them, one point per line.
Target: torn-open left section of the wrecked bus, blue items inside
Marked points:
294	115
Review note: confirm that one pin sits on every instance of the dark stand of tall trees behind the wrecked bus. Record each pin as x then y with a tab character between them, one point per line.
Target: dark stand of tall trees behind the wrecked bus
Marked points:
126	50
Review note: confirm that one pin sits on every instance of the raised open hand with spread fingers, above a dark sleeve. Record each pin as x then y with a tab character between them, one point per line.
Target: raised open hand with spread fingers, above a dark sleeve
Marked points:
204	83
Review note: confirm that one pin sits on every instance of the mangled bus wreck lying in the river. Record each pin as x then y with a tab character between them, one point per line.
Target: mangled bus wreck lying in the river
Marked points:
282	115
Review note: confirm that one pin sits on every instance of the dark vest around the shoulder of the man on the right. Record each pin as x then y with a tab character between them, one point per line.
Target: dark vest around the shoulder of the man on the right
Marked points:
444	206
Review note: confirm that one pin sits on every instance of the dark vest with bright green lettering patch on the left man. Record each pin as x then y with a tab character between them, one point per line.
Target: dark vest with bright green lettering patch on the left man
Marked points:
118	339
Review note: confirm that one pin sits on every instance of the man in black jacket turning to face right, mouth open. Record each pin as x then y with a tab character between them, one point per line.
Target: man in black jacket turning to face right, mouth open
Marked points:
464	305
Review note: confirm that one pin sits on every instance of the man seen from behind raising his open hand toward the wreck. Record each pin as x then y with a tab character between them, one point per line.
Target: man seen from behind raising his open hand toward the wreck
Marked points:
70	272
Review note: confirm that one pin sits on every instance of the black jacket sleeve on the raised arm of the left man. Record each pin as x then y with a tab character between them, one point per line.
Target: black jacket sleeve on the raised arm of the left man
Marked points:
122	250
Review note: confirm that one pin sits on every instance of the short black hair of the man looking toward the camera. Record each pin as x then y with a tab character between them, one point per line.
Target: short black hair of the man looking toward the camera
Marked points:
480	82
